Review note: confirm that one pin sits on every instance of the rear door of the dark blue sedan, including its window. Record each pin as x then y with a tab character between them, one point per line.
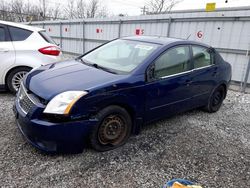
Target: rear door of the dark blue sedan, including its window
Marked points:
205	73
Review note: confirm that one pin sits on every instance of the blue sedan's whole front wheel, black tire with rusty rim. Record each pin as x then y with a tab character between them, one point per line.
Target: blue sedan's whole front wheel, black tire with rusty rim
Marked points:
113	129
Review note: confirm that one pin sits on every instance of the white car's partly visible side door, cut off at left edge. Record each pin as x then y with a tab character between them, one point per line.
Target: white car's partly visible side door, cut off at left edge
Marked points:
7	52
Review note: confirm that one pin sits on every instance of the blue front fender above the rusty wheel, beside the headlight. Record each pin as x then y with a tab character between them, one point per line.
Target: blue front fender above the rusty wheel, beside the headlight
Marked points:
132	99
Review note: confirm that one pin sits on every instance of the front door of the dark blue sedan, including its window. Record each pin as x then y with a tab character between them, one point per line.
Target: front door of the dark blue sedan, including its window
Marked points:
170	90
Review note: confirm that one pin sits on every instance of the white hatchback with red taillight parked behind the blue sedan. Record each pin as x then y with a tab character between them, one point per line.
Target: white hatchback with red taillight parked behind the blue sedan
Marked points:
22	48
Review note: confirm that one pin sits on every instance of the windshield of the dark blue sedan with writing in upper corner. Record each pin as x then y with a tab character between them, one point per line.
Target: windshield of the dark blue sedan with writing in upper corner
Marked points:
120	56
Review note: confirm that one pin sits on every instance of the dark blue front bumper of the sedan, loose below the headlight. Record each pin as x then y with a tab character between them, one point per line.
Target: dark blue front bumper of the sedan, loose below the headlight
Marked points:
66	137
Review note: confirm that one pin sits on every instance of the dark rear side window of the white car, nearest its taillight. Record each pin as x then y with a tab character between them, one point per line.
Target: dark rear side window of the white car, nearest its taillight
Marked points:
18	34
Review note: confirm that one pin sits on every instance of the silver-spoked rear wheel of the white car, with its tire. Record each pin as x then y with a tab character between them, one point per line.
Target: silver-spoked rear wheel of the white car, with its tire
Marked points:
15	77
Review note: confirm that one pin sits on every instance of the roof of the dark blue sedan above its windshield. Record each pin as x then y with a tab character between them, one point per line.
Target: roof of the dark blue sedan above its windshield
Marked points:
163	40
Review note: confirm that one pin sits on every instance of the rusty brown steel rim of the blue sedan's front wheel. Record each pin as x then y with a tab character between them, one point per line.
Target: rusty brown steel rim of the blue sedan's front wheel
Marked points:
112	130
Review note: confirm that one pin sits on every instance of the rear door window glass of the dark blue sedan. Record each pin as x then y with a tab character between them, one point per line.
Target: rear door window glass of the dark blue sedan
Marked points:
202	56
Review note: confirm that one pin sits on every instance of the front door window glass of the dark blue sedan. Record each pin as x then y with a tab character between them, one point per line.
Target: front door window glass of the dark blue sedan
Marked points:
173	61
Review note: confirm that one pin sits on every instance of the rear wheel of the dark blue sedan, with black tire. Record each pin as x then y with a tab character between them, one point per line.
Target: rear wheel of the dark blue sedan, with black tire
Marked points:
216	99
